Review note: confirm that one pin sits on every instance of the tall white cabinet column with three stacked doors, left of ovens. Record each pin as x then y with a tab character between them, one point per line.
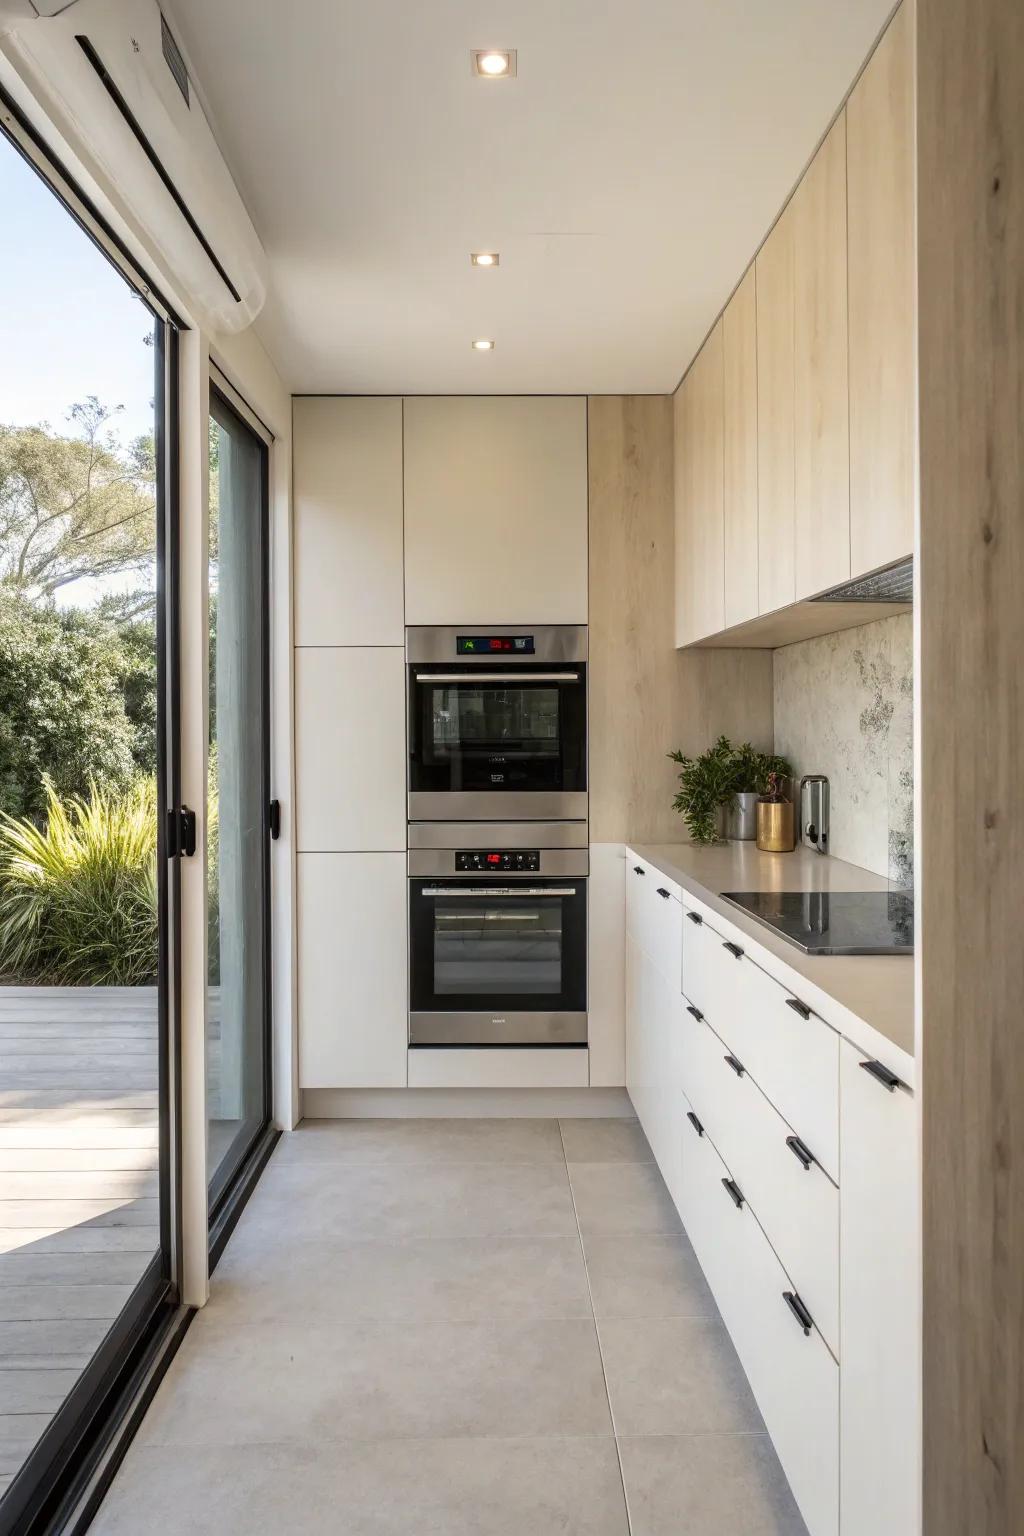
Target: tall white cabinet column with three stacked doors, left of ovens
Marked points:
351	743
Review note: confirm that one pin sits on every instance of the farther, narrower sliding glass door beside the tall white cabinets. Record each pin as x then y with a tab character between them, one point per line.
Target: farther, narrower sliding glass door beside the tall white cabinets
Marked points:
239	806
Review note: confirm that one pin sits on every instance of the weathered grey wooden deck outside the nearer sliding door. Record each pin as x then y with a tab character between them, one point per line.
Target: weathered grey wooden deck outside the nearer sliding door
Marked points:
79	1207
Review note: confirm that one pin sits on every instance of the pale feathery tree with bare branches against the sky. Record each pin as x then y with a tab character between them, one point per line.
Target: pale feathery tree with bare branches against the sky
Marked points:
74	506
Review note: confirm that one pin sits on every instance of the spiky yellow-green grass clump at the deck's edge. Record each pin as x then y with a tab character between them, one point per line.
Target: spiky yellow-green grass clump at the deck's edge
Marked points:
79	896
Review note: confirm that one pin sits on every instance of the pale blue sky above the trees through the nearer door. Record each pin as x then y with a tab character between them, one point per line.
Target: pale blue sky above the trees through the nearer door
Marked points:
70	326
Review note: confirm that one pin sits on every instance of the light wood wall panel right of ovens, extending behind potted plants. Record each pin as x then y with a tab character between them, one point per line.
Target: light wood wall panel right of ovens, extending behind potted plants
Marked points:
646	697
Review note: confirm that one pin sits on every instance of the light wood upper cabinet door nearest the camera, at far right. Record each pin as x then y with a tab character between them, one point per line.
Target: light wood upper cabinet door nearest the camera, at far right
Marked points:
882	300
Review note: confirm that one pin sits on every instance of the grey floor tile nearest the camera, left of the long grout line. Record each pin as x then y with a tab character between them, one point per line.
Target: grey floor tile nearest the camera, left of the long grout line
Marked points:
365	1489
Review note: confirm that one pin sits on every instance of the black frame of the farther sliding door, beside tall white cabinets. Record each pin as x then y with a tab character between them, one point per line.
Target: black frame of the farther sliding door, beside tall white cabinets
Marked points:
233	1183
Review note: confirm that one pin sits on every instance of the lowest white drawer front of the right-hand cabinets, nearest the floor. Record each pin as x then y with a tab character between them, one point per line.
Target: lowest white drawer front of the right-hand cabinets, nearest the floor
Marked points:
793	1375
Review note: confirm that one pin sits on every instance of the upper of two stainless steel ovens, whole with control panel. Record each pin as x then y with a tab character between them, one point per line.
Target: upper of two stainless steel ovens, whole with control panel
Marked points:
497	723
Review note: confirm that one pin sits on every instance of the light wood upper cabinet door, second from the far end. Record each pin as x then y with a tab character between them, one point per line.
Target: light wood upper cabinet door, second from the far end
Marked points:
739	366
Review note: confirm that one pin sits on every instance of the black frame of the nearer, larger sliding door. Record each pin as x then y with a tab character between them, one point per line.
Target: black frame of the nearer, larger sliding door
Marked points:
67	1472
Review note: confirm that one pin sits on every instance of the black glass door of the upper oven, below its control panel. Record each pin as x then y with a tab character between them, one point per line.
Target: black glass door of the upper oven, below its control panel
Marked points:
501	740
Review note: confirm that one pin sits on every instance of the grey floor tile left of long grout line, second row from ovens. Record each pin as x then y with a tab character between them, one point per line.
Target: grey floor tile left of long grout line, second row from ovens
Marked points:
377	1202
